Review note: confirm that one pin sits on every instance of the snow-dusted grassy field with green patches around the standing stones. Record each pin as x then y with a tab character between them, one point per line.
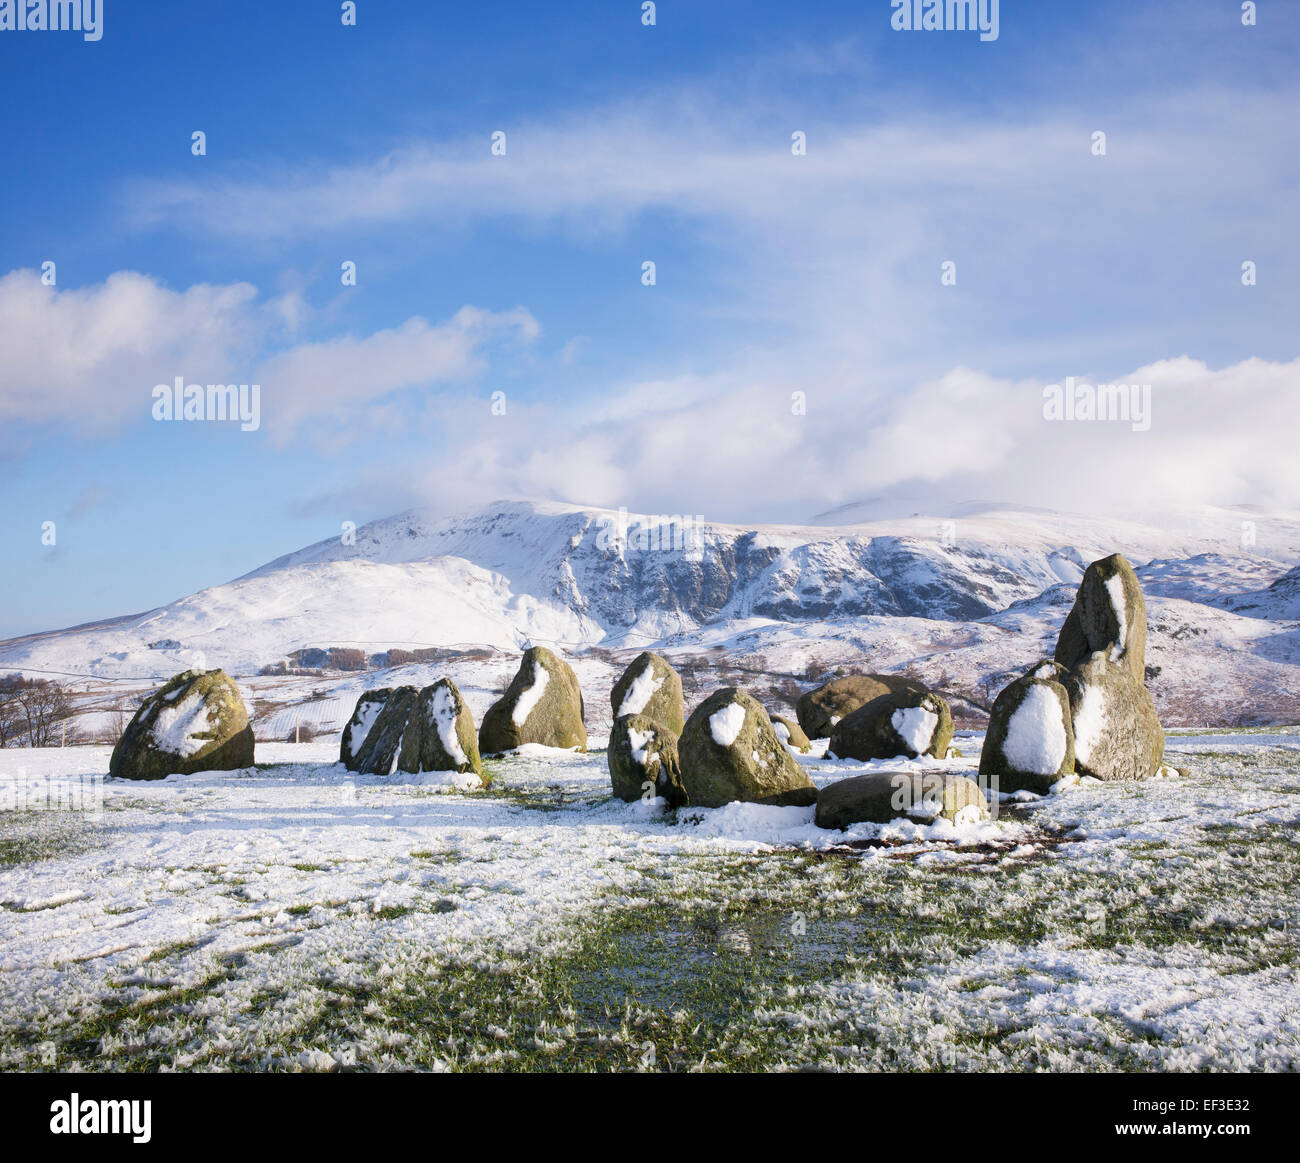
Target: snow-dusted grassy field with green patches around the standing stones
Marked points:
297	917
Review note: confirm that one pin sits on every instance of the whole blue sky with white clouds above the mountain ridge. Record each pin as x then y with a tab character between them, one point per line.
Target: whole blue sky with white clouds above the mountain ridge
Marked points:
626	144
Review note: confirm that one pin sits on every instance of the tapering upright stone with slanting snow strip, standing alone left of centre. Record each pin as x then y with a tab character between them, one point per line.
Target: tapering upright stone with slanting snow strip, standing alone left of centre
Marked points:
543	705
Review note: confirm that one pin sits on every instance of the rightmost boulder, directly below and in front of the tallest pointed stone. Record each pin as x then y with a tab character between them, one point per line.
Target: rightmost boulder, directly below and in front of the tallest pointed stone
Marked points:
1117	732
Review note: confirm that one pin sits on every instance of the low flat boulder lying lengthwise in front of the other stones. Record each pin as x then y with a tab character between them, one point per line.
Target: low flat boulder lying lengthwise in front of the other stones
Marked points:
881	797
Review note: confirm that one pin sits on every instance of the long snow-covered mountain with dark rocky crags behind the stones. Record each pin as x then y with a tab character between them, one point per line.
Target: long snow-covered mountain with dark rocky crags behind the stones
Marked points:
976	594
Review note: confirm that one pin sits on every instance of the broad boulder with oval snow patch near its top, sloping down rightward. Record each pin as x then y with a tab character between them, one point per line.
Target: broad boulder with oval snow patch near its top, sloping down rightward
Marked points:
730	752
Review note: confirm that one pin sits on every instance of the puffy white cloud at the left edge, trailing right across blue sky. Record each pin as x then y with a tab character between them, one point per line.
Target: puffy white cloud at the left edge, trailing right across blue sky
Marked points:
90	358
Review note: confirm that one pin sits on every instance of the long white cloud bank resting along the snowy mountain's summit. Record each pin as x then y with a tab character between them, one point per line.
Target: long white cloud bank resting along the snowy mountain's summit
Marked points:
733	450
